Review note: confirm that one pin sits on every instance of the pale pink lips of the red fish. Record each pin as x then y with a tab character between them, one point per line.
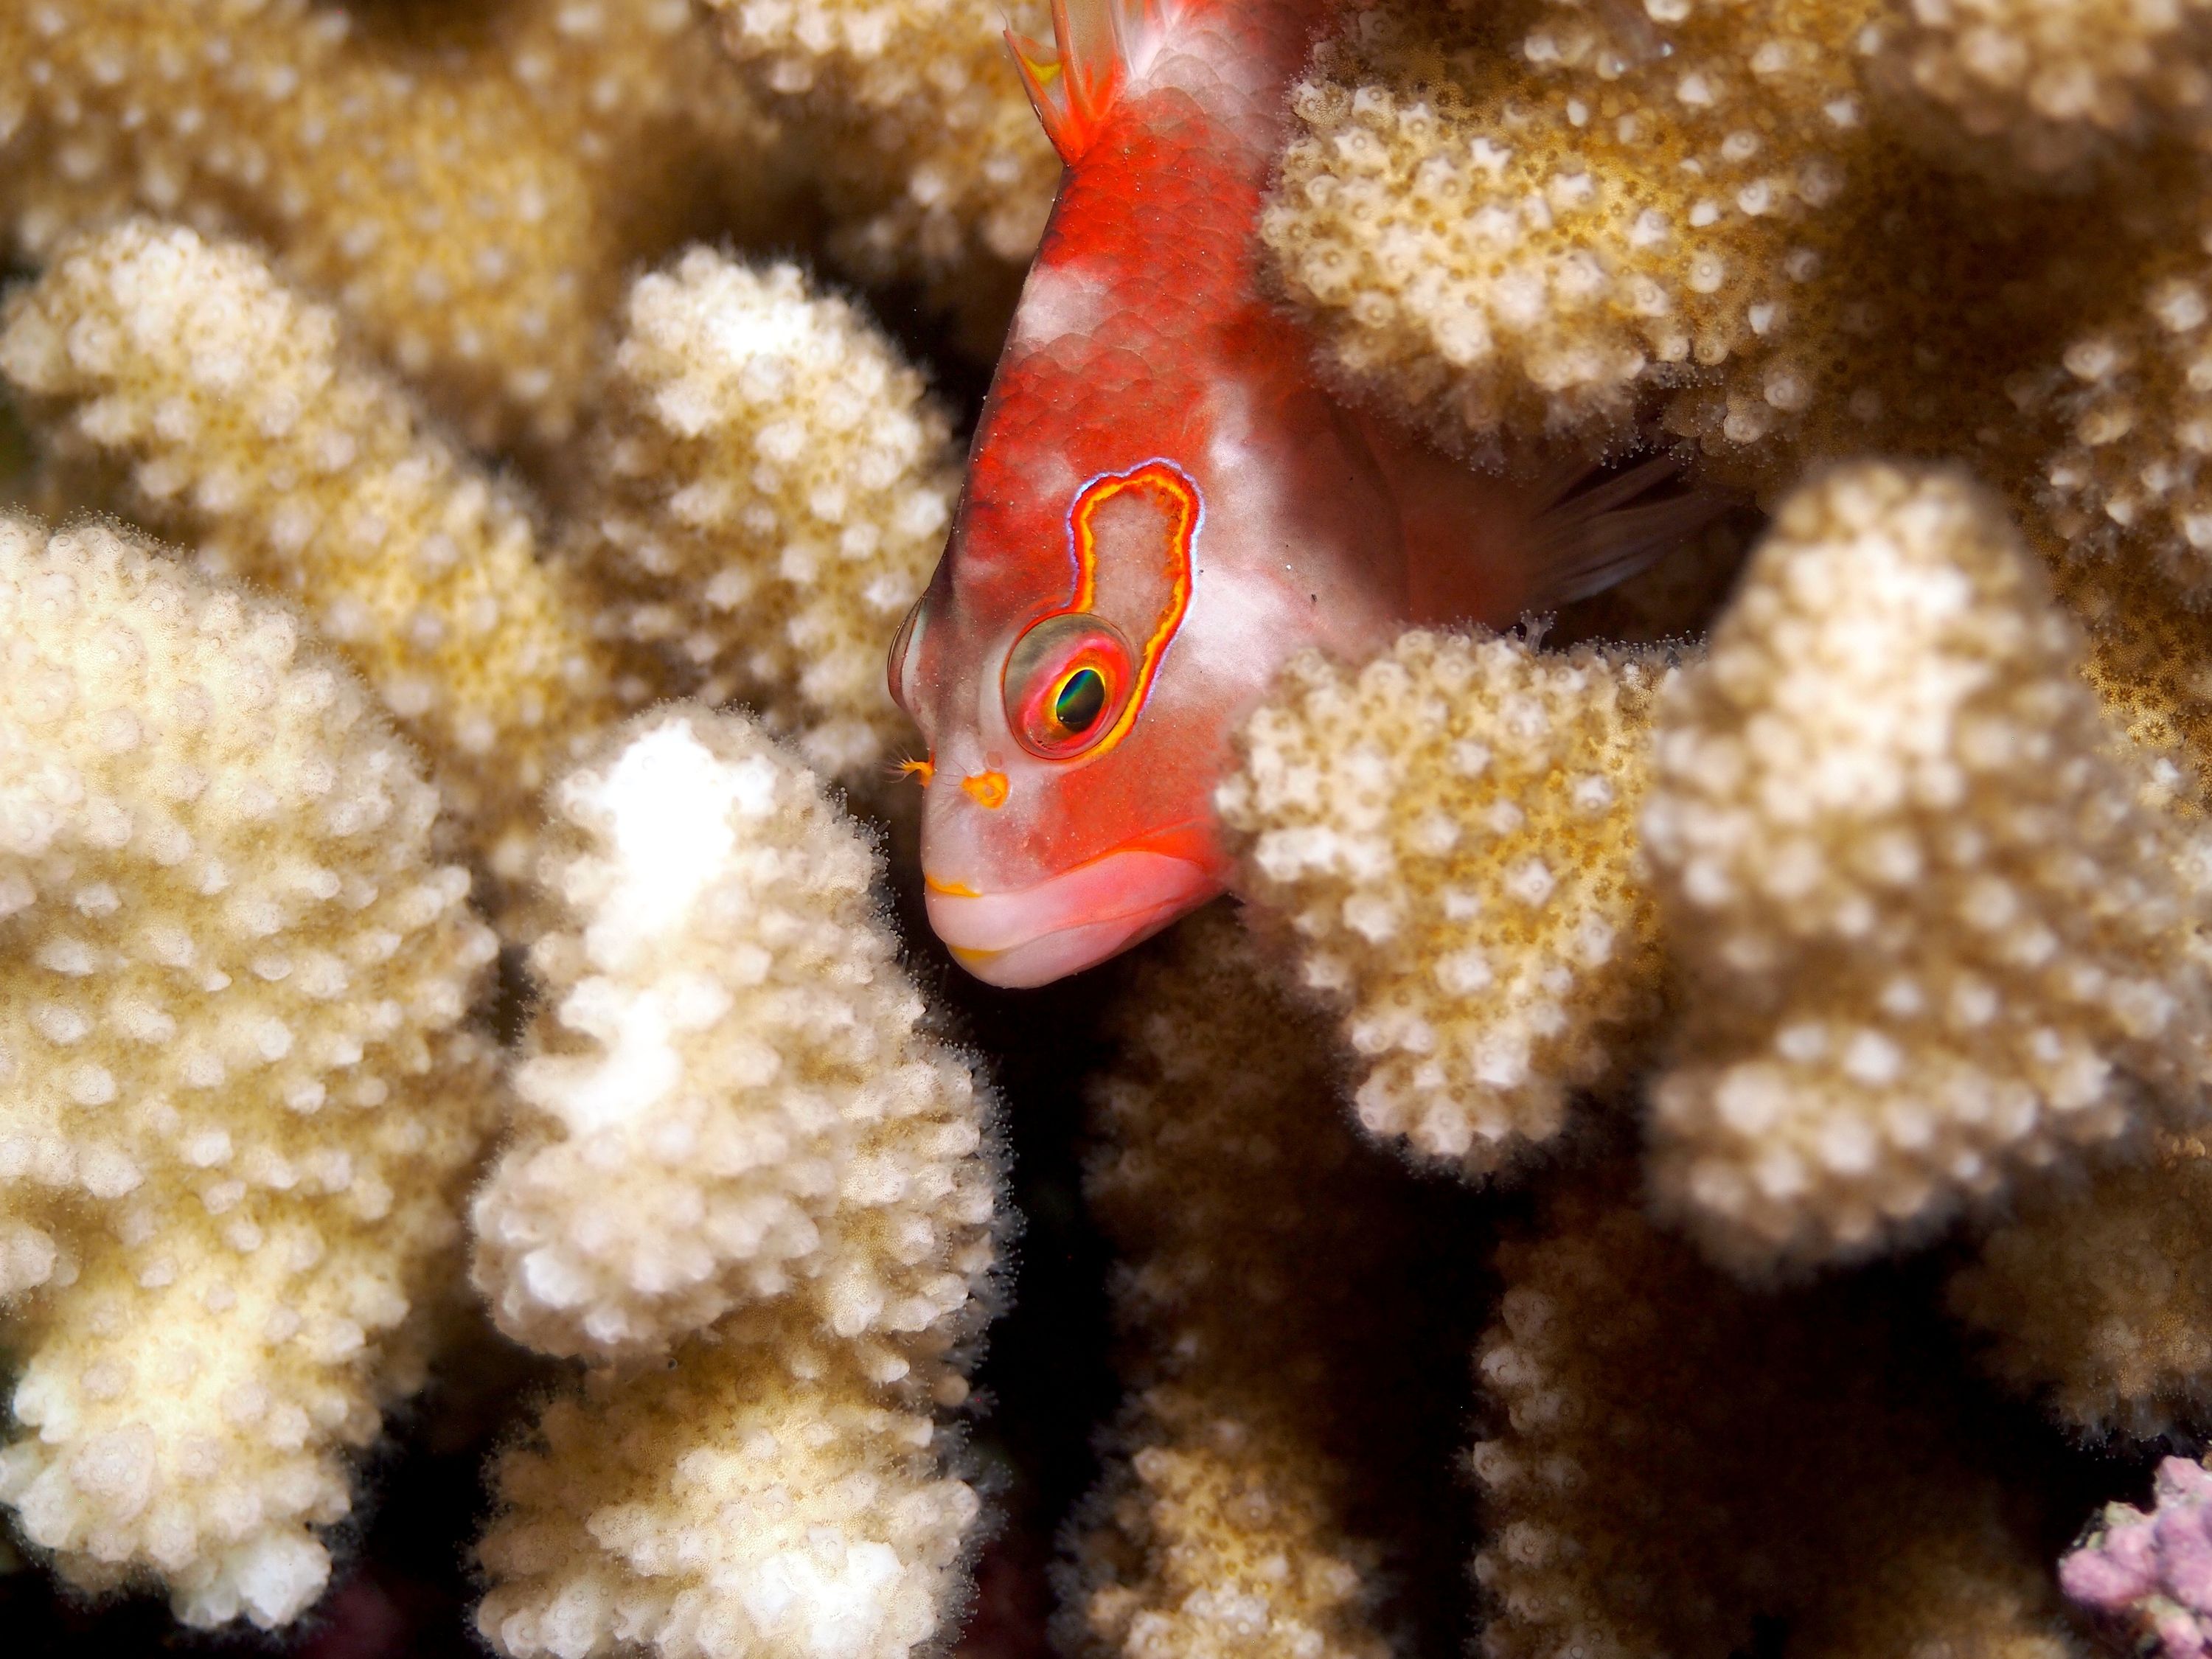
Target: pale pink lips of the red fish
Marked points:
1065	924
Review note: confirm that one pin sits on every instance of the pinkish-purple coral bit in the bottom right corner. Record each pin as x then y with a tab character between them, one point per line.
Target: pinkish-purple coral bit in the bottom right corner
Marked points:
2153	1574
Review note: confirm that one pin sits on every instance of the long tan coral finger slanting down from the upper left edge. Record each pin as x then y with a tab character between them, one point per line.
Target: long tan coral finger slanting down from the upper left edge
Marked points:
249	430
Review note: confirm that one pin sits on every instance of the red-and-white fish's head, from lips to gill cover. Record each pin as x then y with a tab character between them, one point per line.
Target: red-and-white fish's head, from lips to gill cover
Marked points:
1081	667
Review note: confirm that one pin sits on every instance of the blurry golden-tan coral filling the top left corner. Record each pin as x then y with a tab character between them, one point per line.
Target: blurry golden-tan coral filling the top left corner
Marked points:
470	194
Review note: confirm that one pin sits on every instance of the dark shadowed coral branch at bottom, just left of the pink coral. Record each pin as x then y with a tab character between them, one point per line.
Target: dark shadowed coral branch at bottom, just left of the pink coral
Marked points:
1678	1459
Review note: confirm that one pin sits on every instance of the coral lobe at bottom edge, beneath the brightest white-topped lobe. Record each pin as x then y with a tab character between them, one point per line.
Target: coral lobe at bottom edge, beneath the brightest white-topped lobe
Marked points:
755	1499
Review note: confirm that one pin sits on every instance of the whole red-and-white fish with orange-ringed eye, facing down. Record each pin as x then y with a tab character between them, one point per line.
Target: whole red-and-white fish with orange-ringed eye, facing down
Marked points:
1165	503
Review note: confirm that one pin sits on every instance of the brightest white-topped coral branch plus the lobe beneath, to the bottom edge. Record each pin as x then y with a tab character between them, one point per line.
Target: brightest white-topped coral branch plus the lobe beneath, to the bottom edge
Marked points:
740	1136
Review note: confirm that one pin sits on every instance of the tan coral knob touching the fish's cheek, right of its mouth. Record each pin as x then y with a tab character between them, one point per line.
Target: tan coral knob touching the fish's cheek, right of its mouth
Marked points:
1450	839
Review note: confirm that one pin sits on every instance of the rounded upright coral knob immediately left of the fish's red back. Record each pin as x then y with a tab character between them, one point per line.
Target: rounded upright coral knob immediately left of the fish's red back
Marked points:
769	492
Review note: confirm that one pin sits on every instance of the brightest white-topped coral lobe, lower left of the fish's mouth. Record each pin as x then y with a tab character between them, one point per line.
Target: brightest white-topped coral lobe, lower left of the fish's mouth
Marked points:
731	1092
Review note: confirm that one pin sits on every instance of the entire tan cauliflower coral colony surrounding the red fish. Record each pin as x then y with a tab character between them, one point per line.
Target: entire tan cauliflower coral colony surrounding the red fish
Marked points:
1695	1140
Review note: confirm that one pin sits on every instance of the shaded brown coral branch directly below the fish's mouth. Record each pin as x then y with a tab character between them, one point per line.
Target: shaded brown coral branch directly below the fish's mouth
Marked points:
1244	1211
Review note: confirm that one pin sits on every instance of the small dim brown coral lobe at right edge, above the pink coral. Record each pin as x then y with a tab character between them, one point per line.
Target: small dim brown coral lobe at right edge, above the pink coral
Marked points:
2096	1297
